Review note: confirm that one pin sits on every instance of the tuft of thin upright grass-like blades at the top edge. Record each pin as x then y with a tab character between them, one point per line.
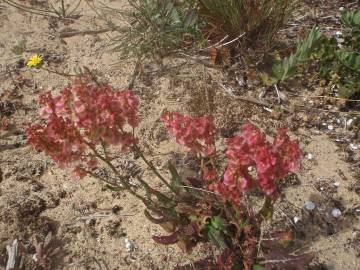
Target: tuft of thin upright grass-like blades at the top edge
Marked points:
259	19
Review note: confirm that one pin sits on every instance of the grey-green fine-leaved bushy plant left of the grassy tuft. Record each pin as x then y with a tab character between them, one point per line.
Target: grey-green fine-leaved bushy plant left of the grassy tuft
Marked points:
155	27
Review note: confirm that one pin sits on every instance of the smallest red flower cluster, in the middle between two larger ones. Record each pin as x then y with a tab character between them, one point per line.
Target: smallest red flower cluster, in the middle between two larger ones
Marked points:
196	133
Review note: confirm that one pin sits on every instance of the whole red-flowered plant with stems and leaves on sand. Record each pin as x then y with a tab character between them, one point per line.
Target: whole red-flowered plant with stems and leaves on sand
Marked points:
87	121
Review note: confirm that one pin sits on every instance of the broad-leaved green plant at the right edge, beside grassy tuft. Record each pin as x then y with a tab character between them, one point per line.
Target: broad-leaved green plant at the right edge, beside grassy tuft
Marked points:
339	63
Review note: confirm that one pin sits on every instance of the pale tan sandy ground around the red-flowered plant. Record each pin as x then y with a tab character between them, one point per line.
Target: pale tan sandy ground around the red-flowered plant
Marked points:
98	229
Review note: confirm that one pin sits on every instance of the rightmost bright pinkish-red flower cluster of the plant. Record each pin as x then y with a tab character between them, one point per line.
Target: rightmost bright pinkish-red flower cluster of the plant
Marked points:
272	161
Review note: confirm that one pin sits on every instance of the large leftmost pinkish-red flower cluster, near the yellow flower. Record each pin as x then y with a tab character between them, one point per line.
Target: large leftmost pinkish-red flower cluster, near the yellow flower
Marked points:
82	116
